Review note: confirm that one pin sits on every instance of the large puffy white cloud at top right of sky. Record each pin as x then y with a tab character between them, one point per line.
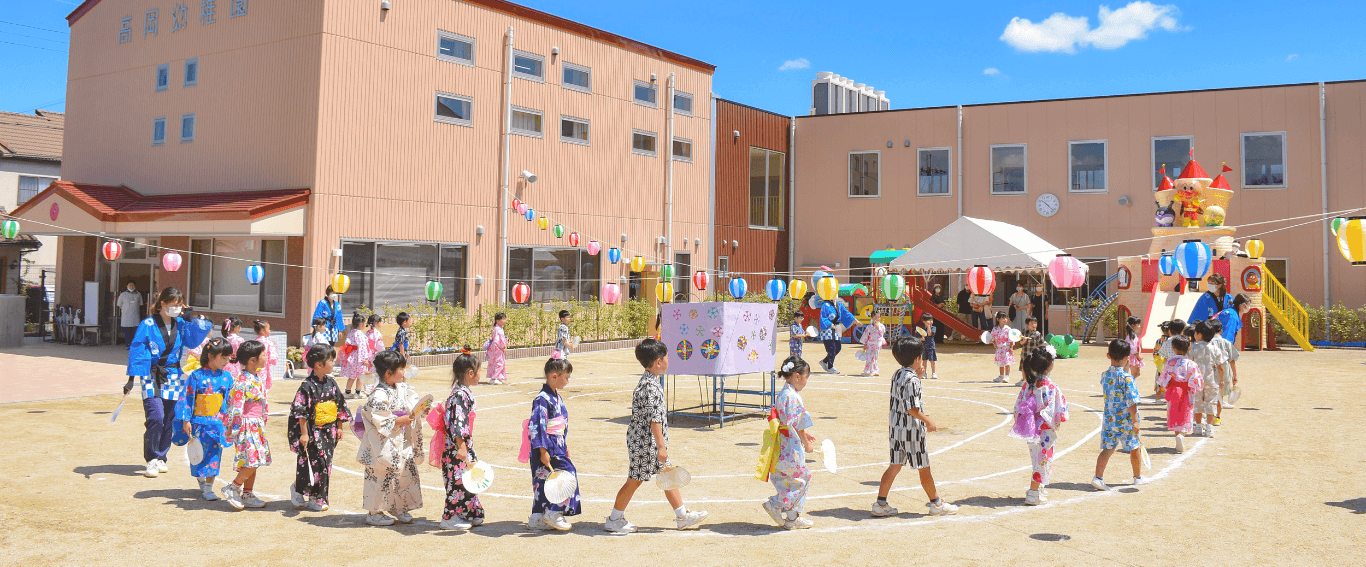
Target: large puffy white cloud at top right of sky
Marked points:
1062	33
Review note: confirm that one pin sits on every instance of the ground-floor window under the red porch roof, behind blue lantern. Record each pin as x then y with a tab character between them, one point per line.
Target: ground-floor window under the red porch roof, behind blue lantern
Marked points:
217	282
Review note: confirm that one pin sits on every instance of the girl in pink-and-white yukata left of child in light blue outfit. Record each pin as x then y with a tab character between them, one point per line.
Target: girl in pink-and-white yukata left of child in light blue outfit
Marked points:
1040	411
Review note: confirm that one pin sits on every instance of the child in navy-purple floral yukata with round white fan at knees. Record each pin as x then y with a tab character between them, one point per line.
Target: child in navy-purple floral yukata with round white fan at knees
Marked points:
548	434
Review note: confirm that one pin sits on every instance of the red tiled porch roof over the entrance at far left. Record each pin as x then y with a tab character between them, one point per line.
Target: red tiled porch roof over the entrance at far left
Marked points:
120	204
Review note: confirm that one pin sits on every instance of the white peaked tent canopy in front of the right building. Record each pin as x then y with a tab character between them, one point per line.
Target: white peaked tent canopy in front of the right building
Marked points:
969	243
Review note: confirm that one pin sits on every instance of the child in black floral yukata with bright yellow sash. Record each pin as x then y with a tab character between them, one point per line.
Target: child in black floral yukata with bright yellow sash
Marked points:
315	428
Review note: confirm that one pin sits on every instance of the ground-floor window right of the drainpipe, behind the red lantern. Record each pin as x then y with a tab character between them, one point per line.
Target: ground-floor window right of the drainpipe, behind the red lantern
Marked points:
555	274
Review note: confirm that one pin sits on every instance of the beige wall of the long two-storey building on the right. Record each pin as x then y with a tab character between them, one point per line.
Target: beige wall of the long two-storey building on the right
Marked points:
1216	120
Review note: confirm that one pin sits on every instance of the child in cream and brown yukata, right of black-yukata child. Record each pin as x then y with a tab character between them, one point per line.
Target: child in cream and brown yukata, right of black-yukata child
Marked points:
393	446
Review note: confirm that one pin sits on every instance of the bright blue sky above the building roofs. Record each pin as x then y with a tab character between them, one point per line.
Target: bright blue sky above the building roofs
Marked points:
923	54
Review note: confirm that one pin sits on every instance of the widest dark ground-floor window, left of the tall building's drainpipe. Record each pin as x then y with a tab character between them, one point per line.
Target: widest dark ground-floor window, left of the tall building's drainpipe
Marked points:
391	275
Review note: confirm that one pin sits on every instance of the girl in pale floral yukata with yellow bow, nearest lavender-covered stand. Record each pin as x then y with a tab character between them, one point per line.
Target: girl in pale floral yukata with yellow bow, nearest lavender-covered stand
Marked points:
790	475
